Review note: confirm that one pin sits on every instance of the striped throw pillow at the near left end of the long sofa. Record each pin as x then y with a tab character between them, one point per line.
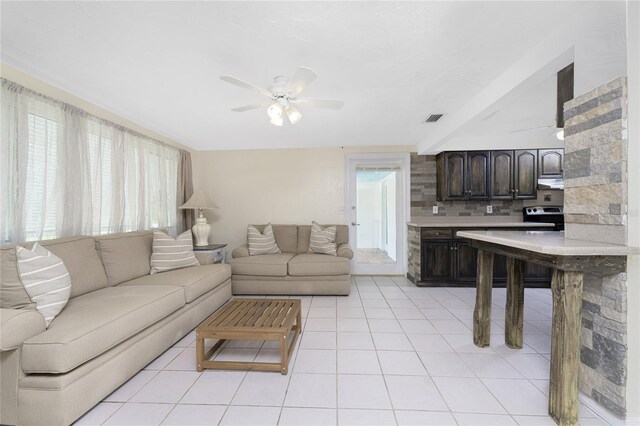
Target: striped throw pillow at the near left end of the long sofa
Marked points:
45	279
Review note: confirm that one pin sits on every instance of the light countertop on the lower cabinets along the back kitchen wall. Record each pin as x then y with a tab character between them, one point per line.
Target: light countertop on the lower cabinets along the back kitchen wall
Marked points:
474	222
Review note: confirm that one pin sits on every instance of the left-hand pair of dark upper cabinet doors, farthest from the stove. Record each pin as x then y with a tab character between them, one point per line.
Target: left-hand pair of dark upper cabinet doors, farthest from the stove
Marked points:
463	175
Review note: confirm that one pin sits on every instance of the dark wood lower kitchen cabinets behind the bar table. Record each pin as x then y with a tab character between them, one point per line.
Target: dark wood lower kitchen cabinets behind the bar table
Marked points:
449	261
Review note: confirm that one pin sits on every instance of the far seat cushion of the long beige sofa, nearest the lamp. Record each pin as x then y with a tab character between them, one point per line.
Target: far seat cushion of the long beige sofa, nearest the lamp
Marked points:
196	281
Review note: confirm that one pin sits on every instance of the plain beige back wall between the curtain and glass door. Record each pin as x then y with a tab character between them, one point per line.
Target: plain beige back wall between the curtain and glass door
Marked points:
277	186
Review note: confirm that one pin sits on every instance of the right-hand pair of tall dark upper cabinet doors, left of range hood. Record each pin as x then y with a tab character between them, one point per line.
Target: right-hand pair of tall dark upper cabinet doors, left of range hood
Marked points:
514	175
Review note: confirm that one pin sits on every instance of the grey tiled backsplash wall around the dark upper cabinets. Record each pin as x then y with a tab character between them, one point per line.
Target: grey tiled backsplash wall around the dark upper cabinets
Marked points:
423	195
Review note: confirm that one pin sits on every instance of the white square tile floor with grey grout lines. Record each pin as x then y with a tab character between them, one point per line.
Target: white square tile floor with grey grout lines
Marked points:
390	353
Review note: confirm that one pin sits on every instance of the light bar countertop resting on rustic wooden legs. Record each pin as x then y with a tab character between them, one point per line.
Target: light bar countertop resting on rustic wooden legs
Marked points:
549	242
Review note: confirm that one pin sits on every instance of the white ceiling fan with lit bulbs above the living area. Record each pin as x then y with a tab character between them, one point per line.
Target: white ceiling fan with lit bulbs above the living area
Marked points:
283	96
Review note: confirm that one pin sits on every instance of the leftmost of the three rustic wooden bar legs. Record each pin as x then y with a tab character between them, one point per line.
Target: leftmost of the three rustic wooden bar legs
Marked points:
482	311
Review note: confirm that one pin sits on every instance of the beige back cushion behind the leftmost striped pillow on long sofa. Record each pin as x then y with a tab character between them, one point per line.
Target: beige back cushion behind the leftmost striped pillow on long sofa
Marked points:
80	258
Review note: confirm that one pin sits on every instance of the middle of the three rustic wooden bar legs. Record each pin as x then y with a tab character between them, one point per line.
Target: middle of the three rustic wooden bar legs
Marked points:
514	318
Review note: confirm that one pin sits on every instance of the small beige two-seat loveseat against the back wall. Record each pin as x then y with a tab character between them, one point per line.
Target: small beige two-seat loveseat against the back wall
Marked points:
294	271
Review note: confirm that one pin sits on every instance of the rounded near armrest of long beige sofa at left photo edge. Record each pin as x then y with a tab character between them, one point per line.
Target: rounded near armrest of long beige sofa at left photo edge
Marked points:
18	325
